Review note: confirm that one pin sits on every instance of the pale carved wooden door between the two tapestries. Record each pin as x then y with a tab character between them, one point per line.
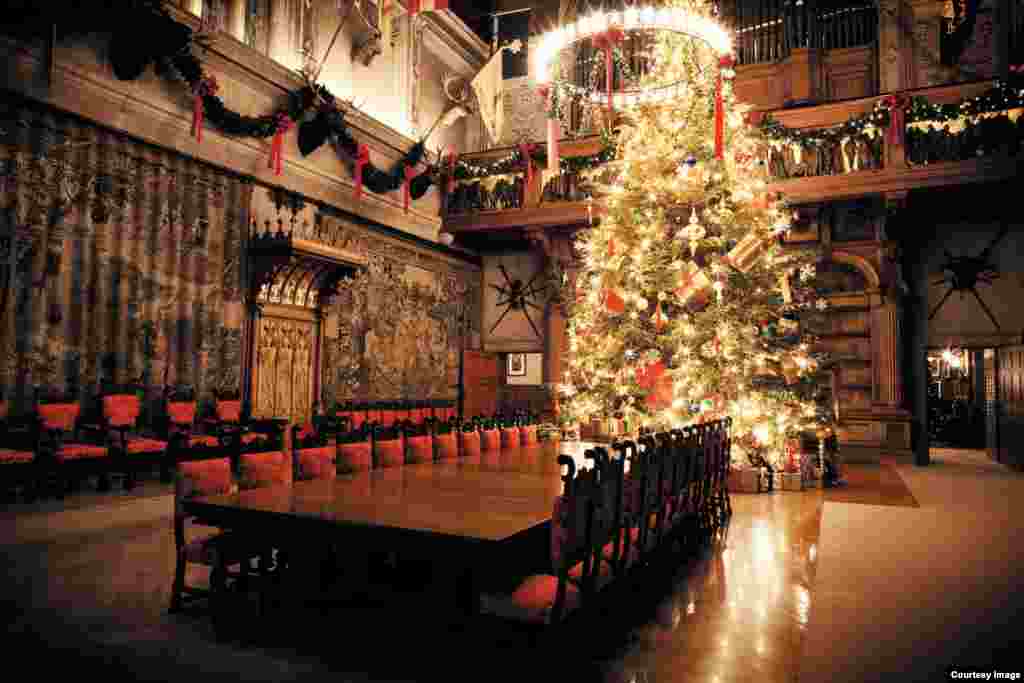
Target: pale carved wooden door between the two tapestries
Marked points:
284	369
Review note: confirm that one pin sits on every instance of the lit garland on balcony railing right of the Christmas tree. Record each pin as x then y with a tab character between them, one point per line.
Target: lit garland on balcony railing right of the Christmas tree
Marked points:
932	133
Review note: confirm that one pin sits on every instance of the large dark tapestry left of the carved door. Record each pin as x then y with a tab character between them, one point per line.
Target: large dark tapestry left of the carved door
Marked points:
125	268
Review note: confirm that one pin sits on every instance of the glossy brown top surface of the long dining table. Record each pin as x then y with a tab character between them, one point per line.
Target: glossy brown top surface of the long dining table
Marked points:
491	499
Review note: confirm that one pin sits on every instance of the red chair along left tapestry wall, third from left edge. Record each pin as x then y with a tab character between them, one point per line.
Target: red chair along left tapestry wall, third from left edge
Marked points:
133	451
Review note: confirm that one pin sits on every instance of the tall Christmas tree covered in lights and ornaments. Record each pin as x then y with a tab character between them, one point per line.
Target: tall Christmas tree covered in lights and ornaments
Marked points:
688	307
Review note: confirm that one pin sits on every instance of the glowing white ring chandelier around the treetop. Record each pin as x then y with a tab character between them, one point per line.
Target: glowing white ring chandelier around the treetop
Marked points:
632	20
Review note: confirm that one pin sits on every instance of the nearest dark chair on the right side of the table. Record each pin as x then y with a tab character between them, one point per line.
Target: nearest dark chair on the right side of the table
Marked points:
547	600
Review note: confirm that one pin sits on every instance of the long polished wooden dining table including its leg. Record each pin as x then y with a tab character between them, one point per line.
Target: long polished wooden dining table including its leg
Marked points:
460	510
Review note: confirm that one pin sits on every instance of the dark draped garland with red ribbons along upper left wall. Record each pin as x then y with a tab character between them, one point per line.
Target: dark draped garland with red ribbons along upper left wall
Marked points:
145	33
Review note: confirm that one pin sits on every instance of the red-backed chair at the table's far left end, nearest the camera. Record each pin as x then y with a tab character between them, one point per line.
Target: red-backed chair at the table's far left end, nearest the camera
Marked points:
215	549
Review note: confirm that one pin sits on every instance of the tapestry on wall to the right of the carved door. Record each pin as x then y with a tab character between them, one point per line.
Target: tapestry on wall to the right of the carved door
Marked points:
400	332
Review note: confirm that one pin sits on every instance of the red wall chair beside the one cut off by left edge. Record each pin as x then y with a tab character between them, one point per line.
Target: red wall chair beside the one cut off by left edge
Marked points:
70	450
